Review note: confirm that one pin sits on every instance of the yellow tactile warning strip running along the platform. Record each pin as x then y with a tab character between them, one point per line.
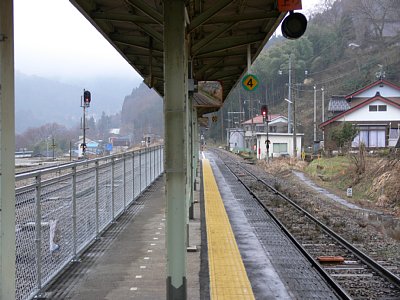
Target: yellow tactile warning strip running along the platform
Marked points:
228	277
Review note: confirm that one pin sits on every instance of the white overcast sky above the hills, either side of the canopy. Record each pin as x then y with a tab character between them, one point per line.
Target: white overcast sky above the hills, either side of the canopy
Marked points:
52	39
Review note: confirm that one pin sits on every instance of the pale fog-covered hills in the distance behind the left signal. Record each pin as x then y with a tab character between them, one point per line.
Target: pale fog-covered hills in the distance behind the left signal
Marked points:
41	100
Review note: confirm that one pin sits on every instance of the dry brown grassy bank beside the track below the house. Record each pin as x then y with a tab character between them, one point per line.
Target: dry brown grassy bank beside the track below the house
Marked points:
377	188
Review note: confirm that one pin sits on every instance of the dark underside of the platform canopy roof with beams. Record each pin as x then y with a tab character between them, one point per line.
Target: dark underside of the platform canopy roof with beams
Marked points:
220	31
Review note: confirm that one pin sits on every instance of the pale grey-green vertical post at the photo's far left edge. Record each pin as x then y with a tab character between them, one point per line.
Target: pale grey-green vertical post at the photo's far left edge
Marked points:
7	157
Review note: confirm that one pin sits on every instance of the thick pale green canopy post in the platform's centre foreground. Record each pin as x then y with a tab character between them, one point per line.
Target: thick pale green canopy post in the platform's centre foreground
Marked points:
175	66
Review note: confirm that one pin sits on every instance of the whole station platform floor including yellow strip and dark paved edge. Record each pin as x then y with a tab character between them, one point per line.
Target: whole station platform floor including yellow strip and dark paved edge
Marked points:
240	253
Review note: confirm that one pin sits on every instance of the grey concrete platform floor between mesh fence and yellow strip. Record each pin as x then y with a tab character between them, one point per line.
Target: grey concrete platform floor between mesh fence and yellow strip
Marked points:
129	261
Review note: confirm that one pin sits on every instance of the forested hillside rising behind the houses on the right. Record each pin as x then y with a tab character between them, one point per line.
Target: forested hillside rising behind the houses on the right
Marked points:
348	44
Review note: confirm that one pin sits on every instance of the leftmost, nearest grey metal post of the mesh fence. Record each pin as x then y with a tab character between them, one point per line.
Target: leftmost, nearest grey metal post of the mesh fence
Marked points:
38	238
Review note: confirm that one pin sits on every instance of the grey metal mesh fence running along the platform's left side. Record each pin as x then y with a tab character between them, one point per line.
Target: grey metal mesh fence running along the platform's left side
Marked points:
60	211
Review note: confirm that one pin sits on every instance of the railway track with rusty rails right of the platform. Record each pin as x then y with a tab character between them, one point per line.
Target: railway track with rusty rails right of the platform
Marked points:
350	272
